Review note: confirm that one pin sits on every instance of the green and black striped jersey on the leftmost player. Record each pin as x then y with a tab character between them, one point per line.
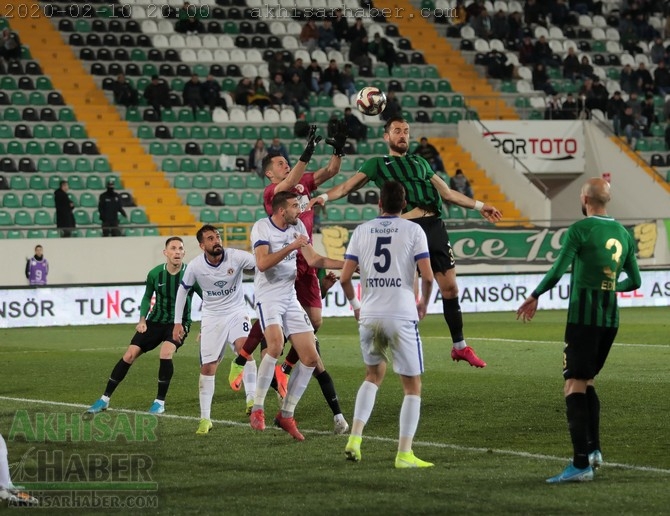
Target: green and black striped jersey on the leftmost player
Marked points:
165	285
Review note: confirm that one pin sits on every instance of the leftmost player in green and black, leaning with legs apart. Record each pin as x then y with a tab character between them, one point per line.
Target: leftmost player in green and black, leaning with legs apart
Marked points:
155	326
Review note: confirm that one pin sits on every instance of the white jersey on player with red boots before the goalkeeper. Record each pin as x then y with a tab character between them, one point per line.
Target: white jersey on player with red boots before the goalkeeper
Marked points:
276	283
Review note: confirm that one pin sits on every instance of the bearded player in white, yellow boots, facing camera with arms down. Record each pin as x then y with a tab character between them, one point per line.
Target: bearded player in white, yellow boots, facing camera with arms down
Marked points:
218	272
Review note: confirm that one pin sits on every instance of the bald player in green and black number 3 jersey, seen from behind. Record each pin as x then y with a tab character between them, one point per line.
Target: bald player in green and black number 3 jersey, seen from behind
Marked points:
598	248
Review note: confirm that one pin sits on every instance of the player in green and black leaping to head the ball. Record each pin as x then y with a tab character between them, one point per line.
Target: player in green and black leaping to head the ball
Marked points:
425	191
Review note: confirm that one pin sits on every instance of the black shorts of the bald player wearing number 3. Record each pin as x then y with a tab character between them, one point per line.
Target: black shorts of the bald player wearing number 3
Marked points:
586	349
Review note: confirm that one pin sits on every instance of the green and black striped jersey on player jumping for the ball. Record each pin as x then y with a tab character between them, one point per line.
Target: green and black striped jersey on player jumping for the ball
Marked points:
413	172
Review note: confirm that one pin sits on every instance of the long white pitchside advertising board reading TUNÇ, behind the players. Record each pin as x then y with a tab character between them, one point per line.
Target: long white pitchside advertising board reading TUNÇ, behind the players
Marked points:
121	305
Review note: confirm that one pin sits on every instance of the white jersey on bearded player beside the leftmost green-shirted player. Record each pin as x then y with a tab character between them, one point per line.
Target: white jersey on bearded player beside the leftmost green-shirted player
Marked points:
222	292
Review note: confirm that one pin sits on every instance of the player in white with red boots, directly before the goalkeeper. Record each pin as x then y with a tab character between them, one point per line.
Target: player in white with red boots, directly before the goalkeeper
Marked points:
276	241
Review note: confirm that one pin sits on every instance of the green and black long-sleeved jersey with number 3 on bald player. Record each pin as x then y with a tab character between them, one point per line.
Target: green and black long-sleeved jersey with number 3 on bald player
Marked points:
598	248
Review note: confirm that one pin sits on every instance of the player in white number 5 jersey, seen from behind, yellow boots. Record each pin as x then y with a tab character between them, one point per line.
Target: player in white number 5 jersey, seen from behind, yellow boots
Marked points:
388	250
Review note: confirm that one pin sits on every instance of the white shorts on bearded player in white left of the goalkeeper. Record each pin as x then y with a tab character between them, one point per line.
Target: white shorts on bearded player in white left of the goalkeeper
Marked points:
217	331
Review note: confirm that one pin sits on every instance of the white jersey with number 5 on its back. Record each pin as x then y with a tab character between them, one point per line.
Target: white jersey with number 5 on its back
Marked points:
386	250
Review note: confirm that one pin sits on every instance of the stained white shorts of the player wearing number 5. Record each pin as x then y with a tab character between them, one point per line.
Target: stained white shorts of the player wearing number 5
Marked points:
399	338
